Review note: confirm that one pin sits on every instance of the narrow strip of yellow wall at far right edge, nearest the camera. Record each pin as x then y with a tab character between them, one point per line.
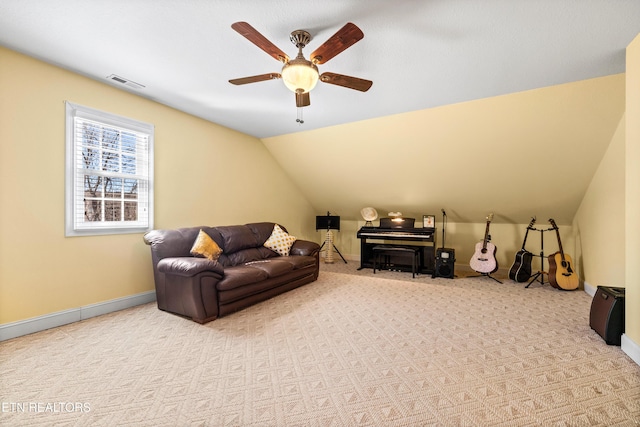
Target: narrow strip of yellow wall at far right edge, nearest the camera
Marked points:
632	223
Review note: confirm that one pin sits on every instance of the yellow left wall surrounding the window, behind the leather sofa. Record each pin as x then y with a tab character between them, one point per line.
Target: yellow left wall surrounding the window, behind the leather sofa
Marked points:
205	174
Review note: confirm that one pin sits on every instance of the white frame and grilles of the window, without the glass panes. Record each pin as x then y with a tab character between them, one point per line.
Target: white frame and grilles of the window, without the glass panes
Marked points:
76	223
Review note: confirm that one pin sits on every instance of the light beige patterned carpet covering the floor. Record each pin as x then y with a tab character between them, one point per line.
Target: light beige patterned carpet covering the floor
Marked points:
348	350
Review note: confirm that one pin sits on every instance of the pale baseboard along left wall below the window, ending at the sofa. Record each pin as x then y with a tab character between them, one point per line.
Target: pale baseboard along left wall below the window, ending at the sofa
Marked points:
53	320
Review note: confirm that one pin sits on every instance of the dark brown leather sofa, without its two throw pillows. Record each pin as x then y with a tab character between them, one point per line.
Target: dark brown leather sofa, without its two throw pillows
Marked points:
245	274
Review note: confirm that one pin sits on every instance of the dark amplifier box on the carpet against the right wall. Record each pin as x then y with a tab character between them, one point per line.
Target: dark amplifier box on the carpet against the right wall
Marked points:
607	314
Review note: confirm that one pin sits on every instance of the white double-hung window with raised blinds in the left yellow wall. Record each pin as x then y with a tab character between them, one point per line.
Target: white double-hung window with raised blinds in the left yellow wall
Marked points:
109	173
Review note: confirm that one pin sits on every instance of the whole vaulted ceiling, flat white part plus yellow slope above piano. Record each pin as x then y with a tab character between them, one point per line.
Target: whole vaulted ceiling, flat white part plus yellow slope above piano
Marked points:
422	56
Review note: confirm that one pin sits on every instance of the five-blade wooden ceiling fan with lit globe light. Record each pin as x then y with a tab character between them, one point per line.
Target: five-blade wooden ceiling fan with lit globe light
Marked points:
299	74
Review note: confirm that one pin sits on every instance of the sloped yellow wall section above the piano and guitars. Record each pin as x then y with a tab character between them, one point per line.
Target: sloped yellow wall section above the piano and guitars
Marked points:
505	154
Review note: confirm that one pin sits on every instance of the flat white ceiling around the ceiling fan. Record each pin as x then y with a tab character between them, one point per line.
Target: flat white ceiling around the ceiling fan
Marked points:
418	53
